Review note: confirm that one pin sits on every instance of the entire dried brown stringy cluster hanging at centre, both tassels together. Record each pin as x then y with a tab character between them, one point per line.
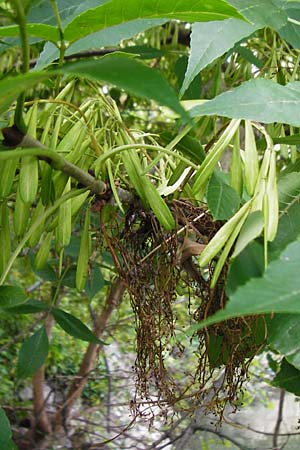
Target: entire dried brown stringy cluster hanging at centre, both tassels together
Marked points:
153	264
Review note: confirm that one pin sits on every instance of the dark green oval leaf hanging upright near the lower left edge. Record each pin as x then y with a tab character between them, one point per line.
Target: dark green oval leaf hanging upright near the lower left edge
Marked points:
33	353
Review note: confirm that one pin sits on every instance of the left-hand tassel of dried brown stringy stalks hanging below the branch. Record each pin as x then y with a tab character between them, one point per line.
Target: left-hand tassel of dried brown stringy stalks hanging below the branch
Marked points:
149	267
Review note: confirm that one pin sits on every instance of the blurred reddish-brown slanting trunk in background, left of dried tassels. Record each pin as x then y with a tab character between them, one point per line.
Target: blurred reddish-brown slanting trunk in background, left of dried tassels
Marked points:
112	301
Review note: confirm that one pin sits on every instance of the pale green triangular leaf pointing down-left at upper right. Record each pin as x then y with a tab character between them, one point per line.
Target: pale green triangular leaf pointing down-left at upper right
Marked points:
209	41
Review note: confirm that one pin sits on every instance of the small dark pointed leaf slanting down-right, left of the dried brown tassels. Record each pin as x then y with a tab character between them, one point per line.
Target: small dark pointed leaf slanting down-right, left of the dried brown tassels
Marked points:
74	327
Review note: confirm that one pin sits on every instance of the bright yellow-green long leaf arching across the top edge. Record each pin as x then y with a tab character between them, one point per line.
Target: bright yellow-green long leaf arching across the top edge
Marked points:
116	12
